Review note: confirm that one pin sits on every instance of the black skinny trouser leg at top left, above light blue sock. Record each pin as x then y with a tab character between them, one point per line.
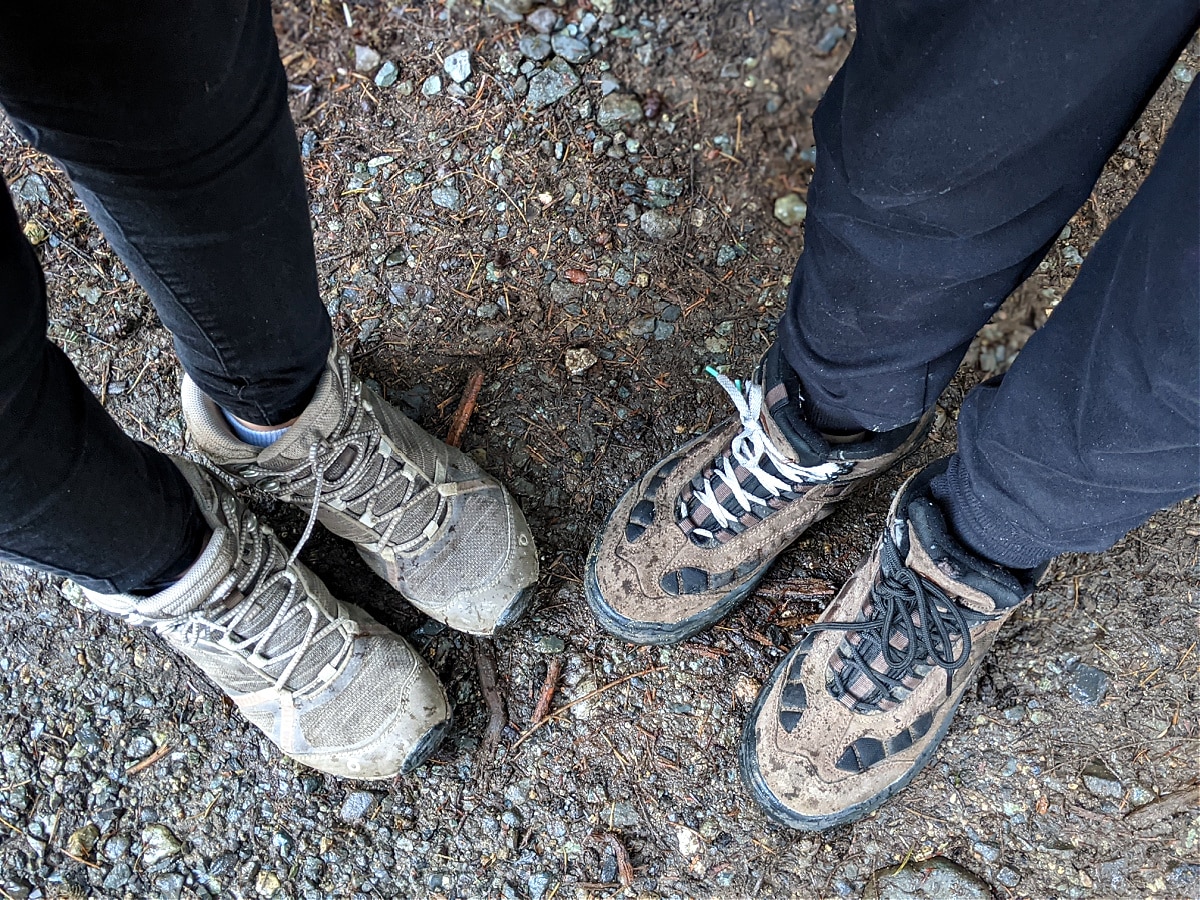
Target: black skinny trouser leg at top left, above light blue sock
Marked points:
172	121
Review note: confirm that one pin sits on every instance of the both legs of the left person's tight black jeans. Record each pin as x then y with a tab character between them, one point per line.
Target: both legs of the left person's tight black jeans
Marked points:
173	125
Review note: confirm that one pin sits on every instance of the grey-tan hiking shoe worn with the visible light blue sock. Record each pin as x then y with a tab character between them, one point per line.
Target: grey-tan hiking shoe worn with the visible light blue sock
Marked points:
424	517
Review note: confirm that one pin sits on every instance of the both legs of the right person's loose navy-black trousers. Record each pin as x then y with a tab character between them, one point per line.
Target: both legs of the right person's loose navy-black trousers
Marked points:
952	148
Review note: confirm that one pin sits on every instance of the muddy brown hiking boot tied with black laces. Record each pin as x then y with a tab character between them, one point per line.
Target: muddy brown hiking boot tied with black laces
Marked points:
860	706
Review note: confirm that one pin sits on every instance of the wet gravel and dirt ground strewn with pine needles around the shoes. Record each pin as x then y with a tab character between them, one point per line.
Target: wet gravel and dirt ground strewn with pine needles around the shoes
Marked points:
590	203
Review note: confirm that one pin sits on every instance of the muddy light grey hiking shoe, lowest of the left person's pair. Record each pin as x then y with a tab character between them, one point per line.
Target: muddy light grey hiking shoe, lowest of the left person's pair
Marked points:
328	685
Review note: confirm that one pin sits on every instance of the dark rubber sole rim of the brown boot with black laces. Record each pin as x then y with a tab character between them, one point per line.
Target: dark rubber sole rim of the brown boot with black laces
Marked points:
777	812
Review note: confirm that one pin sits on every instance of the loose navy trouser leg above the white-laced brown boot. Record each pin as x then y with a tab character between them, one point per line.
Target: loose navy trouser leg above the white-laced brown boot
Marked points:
952	147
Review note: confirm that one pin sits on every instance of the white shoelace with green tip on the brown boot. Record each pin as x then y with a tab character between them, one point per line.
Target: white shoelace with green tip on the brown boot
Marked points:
749	449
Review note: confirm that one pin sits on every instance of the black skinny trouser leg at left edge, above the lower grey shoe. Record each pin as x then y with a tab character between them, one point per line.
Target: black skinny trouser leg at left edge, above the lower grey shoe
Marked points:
77	496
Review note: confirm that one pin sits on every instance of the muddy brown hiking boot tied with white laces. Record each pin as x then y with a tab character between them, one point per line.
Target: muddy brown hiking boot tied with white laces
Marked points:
691	541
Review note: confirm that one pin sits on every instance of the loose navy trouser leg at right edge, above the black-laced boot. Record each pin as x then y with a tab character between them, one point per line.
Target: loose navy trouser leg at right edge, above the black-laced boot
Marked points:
1097	424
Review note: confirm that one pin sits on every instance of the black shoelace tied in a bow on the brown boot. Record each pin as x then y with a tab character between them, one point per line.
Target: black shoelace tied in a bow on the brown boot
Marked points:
898	598
